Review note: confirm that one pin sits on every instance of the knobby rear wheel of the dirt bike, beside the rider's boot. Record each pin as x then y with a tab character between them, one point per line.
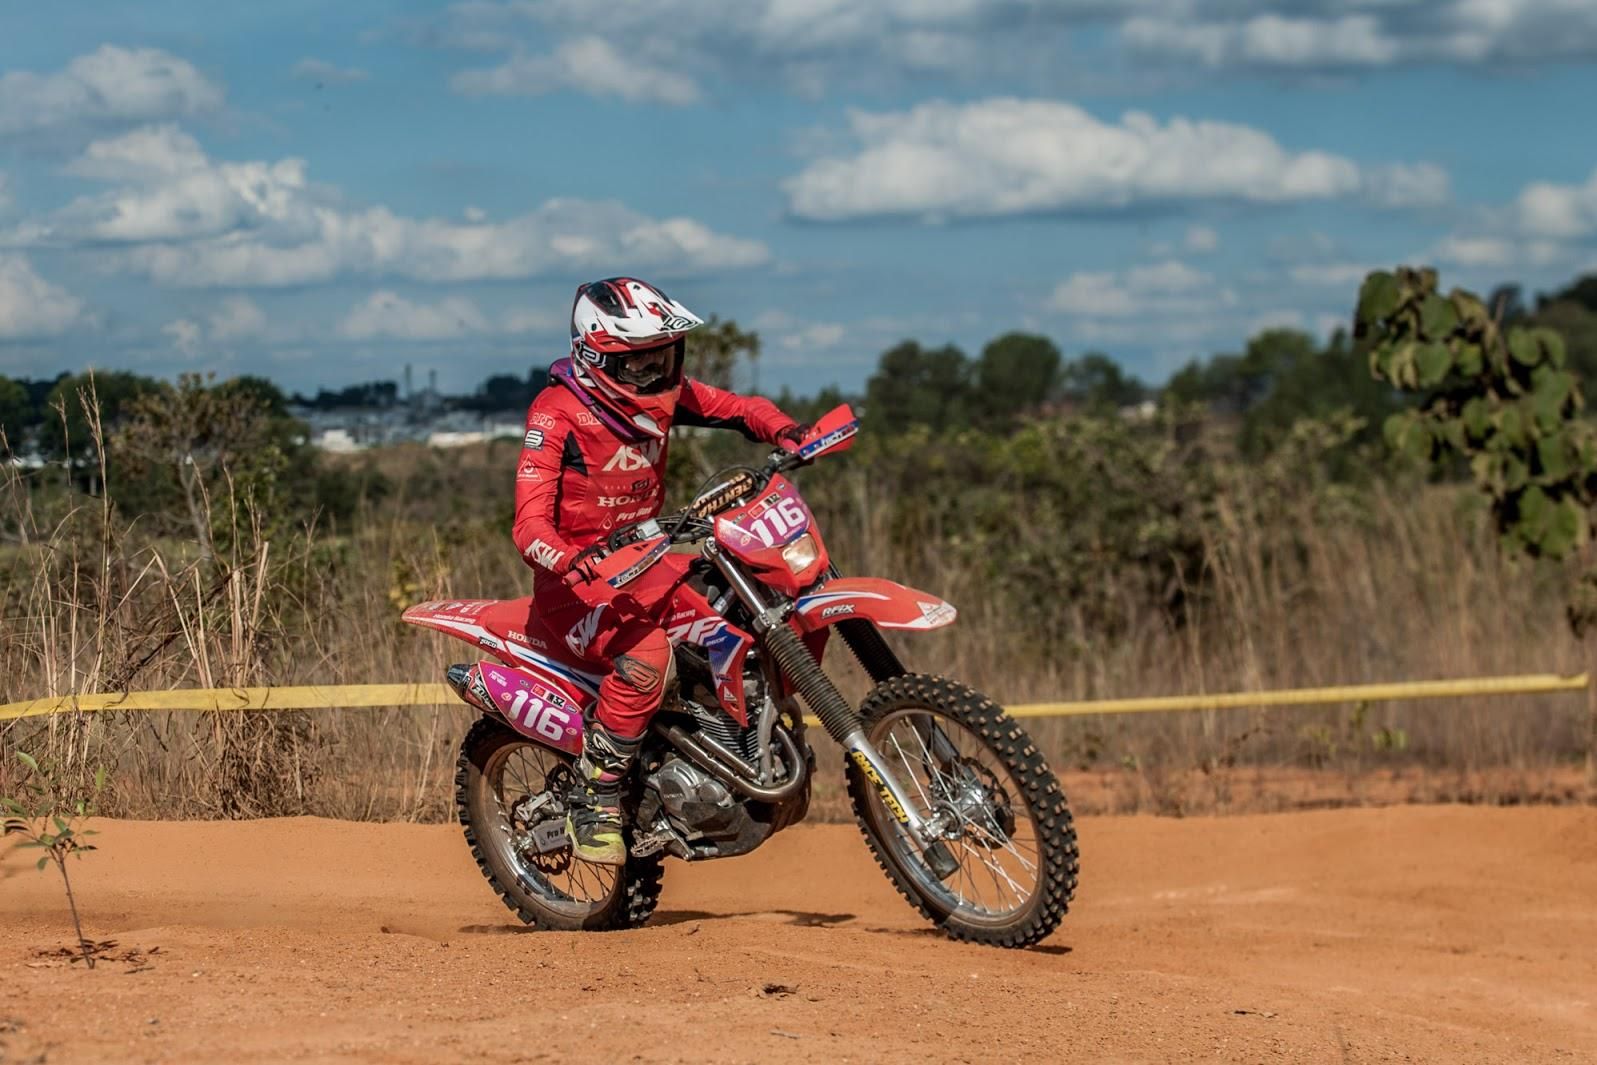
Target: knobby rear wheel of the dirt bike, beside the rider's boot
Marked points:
512	796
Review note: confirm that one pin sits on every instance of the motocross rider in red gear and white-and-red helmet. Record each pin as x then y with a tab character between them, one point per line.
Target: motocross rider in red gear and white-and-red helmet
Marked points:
595	459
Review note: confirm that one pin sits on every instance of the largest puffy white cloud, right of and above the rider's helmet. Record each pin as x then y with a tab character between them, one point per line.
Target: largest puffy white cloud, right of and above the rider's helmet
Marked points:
1004	157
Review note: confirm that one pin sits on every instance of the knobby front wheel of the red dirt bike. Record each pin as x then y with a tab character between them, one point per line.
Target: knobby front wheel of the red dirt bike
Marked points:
985	791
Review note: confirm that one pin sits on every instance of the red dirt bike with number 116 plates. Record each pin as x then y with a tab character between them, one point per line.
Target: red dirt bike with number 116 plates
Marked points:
953	796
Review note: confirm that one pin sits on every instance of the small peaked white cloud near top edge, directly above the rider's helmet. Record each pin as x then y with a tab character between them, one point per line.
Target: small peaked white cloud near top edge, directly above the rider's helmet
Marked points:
587	65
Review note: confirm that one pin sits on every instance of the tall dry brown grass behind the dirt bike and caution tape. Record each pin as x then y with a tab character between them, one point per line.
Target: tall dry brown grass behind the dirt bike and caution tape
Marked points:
1408	587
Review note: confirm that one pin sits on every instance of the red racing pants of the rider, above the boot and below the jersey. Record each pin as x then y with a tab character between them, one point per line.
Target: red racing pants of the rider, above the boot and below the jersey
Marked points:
617	635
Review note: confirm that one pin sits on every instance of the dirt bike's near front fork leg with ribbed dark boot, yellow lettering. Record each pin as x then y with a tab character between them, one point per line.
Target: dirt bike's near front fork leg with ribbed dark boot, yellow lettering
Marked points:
841	721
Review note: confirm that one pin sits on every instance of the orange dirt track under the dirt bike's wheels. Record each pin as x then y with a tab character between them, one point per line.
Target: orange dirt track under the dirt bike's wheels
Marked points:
1424	933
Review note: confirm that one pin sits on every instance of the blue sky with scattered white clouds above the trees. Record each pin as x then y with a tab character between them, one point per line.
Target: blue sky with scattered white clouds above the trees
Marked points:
325	194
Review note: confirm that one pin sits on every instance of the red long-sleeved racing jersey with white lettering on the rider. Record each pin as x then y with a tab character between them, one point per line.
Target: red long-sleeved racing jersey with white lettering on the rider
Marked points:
577	480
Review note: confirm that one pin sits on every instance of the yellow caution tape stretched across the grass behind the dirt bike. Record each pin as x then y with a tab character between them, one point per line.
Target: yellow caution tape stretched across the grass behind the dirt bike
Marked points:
357	695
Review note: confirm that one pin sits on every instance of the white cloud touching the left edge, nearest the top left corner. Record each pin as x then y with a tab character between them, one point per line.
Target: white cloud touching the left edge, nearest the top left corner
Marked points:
114	84
